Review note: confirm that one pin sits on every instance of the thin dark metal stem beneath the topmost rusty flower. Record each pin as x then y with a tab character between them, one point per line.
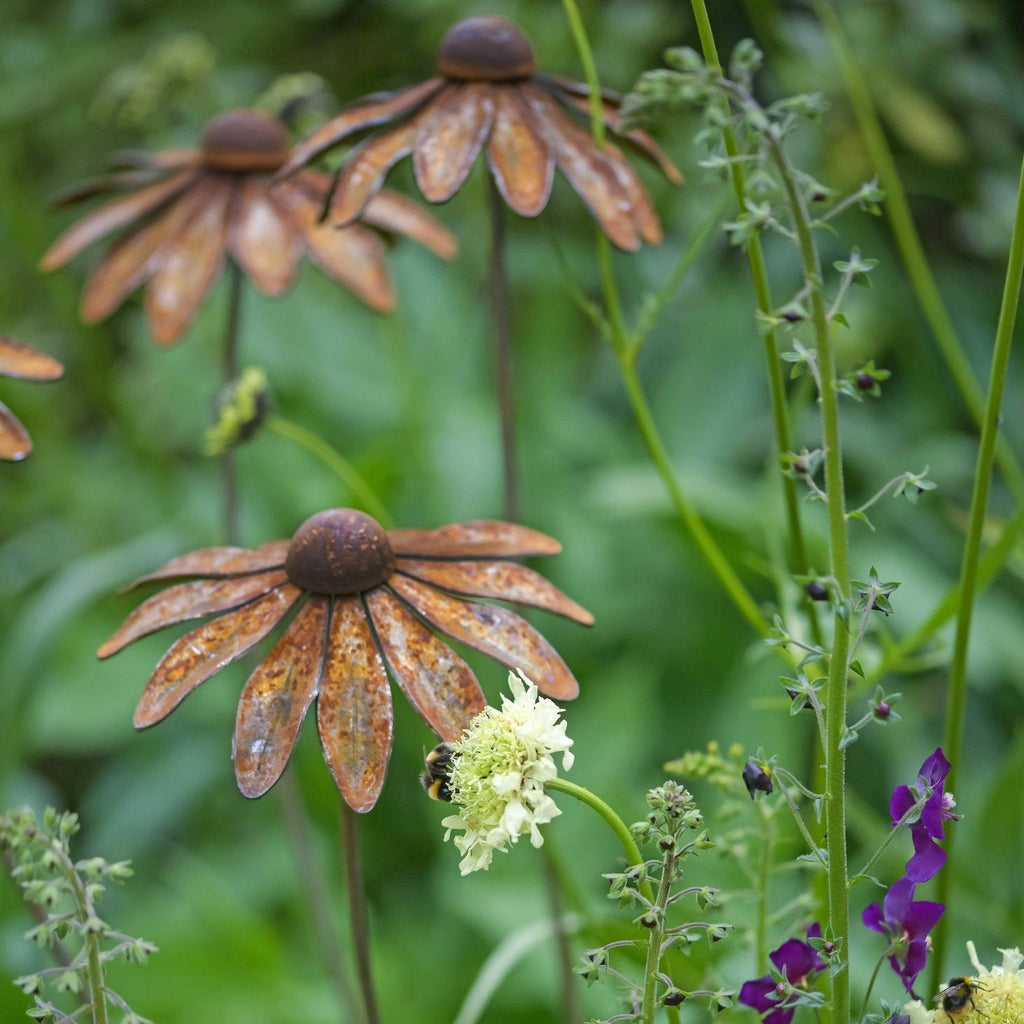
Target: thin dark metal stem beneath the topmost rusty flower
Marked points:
498	297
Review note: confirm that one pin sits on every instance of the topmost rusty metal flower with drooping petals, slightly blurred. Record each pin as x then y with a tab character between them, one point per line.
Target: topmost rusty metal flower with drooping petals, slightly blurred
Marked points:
489	96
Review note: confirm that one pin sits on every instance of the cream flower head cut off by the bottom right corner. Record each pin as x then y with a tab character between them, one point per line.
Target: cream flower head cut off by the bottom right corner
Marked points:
997	995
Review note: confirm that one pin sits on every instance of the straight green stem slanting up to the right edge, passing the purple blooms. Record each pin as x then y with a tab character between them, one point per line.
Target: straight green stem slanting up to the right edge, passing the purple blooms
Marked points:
957	699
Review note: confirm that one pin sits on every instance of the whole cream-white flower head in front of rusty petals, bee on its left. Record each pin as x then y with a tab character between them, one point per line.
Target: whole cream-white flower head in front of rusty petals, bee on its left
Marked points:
499	772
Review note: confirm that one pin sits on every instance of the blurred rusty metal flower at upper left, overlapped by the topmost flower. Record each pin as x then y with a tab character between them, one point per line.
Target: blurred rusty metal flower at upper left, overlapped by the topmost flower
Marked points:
187	209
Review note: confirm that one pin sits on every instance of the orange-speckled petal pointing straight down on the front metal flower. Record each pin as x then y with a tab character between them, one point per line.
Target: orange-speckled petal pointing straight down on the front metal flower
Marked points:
354	709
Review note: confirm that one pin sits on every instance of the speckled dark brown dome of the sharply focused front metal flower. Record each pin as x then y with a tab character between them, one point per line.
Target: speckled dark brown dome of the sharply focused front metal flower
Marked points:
340	551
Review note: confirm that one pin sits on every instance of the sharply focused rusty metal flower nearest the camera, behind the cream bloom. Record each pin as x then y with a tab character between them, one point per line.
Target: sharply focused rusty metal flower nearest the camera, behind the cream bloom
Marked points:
364	603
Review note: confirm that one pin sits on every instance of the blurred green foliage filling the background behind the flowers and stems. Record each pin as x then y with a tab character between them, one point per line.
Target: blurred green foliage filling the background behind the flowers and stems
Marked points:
116	486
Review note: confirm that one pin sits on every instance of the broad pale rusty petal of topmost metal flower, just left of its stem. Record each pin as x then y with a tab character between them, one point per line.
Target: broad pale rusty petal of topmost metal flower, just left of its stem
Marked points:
452	132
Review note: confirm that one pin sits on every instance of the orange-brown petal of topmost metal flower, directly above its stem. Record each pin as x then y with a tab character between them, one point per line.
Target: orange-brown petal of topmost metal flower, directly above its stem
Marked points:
520	159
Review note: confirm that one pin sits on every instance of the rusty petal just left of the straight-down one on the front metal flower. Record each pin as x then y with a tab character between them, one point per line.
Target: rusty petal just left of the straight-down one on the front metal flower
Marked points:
276	699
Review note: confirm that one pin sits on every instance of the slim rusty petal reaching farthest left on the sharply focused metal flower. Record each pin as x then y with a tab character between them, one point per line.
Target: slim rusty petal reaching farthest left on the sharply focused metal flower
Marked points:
190	601
